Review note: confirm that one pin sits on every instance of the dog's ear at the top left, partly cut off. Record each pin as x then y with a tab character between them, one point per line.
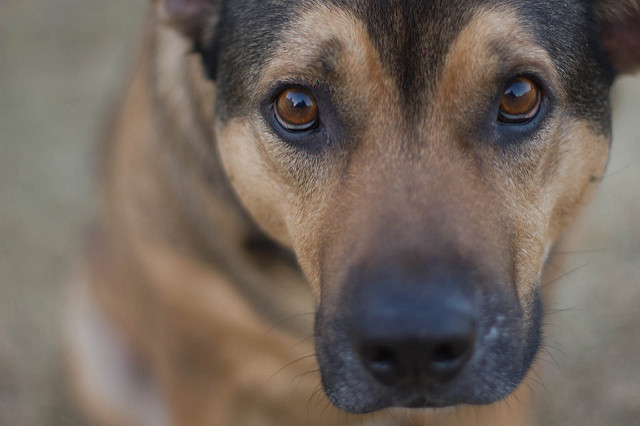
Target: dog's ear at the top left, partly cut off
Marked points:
191	17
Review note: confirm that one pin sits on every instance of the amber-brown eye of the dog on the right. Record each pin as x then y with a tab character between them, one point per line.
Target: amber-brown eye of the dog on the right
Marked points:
520	101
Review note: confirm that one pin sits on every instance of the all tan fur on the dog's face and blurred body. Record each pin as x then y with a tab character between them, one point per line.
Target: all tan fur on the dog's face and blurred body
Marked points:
168	267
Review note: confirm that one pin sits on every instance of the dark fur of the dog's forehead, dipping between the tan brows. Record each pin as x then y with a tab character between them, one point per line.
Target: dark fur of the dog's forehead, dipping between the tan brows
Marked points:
411	37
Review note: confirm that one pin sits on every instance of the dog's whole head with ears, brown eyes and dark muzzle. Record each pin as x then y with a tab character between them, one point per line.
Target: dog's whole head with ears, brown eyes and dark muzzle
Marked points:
420	158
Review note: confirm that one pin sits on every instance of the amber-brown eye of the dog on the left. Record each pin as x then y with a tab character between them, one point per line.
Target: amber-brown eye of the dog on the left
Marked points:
296	109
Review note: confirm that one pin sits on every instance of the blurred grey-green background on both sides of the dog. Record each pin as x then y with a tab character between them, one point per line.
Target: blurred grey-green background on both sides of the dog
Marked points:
63	64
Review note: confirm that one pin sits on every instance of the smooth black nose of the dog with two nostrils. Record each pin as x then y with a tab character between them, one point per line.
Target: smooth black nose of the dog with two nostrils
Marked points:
413	336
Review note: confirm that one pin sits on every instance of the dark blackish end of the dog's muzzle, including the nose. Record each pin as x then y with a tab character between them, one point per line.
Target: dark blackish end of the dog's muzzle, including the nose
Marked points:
427	340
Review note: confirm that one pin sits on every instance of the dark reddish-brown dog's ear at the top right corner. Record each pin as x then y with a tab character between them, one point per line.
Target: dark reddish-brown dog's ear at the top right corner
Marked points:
620	32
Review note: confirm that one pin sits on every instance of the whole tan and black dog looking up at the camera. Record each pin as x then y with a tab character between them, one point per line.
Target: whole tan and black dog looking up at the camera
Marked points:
339	212
